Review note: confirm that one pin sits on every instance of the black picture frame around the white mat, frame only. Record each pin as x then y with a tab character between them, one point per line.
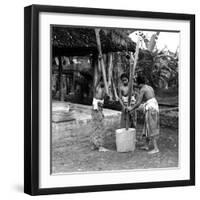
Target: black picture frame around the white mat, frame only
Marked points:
31	98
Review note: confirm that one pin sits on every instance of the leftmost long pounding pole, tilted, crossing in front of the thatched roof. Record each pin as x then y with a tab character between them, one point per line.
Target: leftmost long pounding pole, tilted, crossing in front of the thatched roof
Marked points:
101	59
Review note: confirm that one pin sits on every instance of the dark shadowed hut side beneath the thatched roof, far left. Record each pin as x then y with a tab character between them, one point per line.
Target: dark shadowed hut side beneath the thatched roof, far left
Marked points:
71	78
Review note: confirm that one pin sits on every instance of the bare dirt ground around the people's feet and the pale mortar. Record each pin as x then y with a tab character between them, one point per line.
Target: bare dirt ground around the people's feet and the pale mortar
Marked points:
72	152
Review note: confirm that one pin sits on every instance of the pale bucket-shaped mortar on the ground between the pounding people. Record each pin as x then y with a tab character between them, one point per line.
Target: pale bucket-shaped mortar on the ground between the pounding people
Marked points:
125	139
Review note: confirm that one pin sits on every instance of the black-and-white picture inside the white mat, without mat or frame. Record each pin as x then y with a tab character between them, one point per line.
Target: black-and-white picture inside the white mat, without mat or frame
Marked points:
114	99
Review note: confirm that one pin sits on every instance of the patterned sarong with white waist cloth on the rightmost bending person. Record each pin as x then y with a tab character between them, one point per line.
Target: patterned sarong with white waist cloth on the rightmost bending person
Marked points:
152	126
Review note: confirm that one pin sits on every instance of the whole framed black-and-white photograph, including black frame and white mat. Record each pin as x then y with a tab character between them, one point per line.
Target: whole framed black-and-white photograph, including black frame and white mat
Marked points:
109	98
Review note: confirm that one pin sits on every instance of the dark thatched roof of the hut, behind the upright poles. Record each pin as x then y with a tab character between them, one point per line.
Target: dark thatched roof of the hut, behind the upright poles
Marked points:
75	41
